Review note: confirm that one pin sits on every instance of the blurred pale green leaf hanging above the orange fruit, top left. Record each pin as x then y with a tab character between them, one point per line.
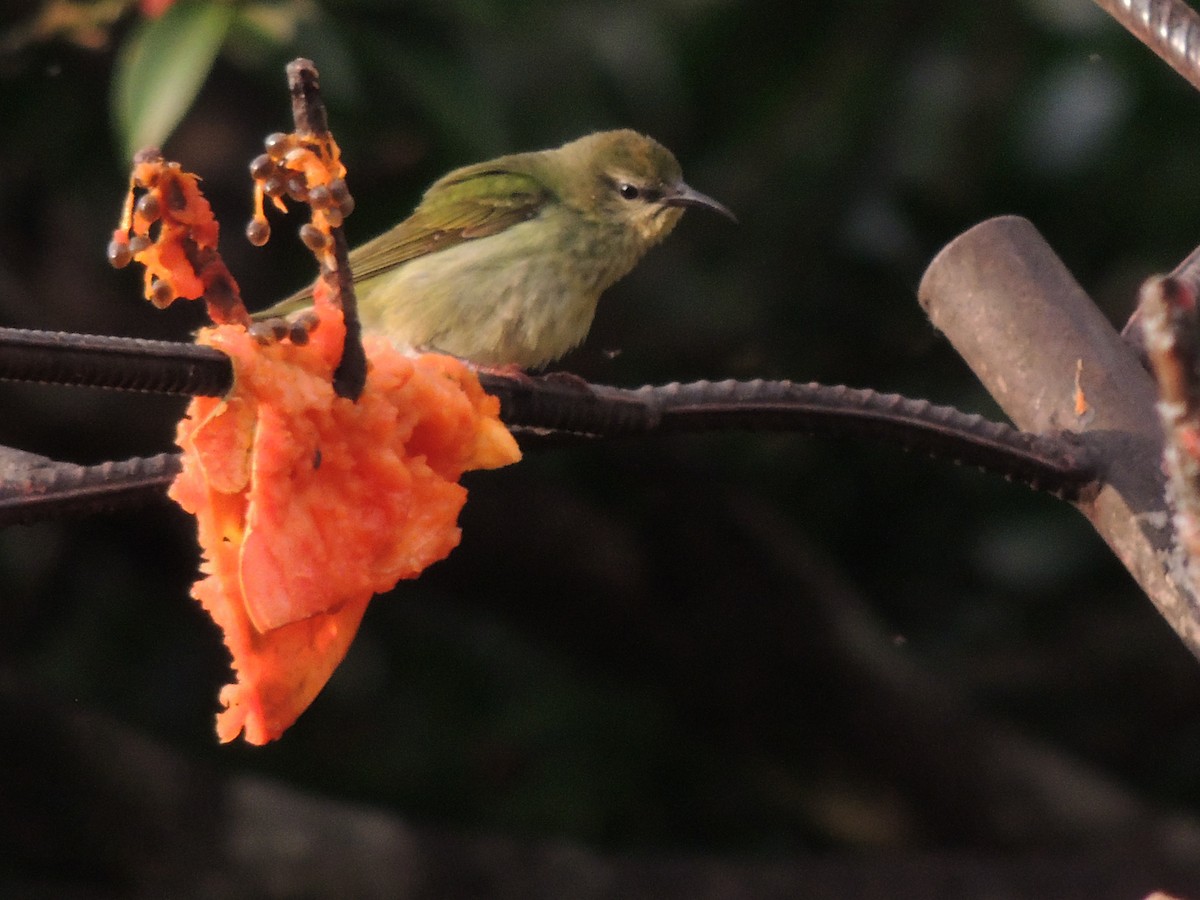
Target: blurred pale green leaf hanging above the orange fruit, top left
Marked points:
161	69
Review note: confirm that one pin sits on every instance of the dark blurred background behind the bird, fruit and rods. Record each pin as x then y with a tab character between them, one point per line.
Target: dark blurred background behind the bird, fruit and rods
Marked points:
769	653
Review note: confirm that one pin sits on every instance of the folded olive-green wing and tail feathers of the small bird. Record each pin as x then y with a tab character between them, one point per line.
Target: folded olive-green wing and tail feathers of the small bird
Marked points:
470	203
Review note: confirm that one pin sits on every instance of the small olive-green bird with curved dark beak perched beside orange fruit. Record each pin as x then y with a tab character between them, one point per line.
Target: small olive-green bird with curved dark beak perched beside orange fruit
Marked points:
503	263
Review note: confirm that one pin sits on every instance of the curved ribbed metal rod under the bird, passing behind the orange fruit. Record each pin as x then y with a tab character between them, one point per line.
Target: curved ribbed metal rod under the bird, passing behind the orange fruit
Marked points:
1058	464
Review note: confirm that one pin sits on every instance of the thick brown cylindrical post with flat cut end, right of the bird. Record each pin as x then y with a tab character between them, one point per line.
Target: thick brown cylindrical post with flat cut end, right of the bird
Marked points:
1028	331
